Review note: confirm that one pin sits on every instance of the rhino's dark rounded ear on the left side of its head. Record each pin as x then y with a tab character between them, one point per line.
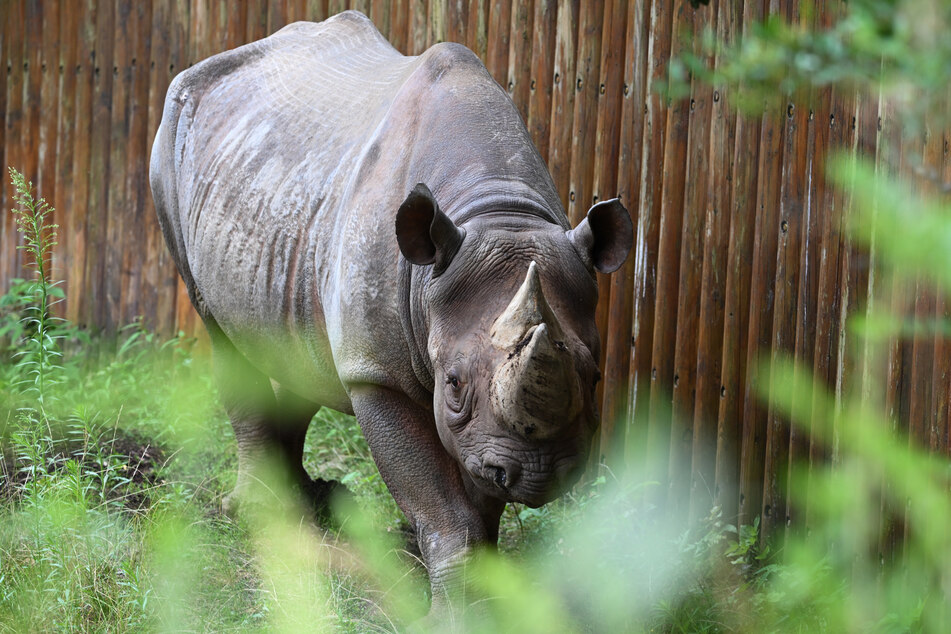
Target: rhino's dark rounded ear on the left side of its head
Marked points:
424	233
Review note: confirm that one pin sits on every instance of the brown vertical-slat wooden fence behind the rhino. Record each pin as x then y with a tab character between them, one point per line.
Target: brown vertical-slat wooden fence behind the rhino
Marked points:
740	249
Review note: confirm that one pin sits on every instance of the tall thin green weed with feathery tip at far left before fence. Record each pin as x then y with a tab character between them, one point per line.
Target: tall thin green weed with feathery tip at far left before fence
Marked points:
38	365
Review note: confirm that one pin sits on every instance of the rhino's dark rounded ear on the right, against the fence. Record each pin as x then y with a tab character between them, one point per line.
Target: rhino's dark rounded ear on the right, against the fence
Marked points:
605	236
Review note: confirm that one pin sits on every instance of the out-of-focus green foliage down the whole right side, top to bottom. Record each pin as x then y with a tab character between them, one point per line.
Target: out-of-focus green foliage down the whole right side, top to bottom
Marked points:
871	553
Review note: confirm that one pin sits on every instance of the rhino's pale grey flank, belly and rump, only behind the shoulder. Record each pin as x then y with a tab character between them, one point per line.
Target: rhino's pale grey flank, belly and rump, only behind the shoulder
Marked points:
255	145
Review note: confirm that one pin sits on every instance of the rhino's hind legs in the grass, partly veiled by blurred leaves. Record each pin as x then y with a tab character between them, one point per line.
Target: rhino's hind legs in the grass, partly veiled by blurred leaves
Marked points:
270	425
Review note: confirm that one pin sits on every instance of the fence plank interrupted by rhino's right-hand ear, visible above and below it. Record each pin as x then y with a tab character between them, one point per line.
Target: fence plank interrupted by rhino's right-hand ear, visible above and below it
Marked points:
617	350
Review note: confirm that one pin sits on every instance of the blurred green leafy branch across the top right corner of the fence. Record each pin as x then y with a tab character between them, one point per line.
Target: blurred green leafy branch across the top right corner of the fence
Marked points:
898	46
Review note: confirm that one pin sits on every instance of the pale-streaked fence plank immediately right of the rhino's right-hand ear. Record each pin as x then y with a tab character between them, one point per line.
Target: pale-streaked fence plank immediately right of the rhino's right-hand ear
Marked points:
650	431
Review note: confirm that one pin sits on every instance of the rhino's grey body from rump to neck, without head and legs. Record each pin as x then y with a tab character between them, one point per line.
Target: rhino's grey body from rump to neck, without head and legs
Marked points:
277	172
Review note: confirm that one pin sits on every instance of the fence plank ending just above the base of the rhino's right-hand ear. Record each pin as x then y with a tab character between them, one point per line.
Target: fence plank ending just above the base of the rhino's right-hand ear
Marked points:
584	119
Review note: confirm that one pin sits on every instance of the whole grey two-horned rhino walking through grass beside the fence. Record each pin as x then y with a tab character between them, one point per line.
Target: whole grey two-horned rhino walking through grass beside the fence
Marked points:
357	230
